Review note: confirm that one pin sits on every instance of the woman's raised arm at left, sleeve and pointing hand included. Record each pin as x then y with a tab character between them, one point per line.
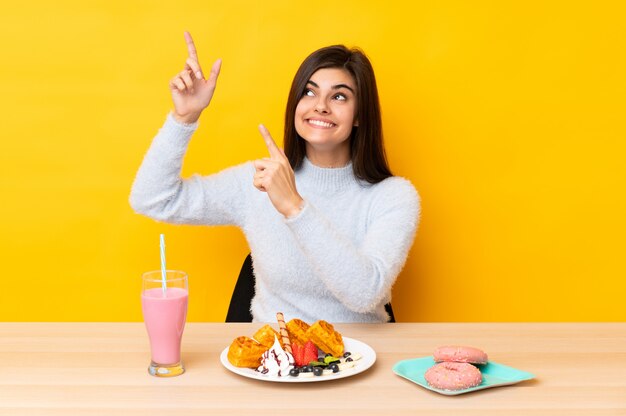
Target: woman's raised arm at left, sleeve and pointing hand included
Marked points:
158	190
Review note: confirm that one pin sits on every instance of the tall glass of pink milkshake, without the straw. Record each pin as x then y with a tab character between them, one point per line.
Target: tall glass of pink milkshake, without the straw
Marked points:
164	314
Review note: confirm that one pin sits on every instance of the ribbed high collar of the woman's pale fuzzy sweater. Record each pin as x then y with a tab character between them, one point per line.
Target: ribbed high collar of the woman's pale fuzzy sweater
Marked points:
327	179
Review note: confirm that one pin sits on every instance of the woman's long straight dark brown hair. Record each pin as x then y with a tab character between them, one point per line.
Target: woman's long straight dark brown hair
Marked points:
367	151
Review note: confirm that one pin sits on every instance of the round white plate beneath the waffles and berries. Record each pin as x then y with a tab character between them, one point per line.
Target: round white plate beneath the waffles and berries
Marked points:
368	359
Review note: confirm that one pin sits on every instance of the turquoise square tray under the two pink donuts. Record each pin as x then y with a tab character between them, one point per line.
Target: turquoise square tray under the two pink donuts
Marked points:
494	375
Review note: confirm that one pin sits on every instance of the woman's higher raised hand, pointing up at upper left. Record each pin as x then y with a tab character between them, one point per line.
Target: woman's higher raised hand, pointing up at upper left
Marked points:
191	93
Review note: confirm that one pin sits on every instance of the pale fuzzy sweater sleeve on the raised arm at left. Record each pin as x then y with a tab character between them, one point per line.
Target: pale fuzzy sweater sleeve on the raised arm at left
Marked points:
159	191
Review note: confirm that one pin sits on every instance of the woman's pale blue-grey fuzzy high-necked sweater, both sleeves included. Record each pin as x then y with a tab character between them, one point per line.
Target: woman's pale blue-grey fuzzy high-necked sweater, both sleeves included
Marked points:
336	260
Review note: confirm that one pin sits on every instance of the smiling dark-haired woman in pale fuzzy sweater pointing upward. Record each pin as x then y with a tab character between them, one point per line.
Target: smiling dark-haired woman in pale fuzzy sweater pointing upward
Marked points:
328	226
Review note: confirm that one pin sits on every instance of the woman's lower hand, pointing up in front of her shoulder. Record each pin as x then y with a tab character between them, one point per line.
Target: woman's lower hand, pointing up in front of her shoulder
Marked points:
275	176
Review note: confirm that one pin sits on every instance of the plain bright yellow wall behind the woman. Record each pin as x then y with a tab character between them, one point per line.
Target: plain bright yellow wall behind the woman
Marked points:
508	118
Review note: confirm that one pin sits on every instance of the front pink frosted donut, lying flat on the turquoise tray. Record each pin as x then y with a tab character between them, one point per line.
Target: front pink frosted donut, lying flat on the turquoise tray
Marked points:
453	376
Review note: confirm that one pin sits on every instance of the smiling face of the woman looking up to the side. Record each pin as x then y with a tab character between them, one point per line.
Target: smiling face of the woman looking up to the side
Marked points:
326	113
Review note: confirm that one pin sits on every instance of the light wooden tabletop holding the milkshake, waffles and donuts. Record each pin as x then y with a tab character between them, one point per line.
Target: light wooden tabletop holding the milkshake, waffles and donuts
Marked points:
100	369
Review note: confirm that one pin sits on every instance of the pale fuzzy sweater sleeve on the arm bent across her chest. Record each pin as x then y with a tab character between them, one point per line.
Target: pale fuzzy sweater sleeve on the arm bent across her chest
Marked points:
361	275
